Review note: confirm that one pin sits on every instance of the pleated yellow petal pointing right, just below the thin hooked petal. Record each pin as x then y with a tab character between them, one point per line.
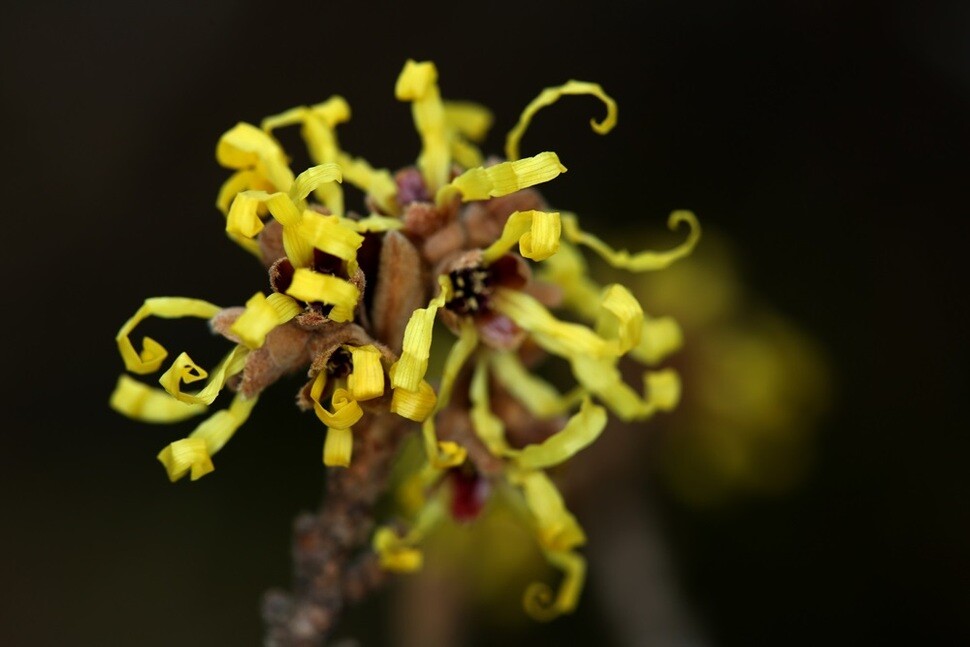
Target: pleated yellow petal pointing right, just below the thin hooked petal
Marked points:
482	183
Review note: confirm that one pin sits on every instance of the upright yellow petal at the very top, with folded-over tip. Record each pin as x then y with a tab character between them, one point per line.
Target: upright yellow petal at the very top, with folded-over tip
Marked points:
418	83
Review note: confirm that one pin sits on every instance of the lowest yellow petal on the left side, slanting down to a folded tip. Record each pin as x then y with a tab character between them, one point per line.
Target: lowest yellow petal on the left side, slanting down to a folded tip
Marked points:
195	452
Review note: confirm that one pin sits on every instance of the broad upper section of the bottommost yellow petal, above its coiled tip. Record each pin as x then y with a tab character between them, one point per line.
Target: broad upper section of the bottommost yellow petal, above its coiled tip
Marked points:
556	528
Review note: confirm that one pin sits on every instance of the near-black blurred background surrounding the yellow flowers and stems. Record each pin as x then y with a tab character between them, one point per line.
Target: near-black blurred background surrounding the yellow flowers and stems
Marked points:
827	139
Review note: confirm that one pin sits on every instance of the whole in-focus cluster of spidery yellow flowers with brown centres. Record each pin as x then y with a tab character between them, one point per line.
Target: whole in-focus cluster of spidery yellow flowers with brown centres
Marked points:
458	252
